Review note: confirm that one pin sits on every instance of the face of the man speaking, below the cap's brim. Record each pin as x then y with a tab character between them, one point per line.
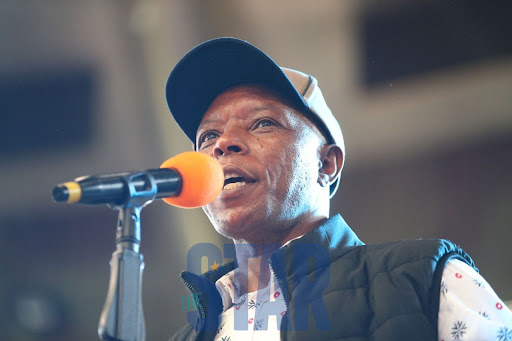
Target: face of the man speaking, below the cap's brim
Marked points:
271	156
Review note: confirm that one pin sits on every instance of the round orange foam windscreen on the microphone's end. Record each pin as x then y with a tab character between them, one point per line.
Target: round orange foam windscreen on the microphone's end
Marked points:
202	179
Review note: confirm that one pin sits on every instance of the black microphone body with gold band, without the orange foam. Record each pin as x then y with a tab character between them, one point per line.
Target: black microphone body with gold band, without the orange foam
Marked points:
117	189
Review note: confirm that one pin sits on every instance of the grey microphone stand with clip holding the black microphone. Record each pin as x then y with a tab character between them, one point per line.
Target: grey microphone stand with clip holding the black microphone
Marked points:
122	318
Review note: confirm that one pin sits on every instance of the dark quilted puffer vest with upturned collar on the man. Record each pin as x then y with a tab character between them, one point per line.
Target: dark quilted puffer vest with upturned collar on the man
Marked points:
337	288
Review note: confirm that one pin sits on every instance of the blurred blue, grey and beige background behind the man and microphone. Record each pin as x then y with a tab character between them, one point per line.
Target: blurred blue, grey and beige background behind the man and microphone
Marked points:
422	90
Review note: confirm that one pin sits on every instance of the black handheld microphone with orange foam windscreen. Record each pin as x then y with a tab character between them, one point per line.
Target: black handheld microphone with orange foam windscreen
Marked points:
187	180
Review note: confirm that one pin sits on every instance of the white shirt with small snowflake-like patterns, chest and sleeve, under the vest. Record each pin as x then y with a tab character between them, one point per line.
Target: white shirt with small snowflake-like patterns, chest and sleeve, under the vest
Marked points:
468	309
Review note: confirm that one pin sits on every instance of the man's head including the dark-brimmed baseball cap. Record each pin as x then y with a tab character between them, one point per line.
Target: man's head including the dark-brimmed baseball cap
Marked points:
280	146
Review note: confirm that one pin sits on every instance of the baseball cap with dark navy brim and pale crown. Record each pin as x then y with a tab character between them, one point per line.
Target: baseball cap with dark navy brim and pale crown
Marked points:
221	63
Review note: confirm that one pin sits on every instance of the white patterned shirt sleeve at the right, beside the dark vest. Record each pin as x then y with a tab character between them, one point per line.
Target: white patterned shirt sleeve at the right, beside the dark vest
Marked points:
469	309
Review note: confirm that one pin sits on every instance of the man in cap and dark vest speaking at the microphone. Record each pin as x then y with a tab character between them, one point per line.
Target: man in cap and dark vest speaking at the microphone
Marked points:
299	274
